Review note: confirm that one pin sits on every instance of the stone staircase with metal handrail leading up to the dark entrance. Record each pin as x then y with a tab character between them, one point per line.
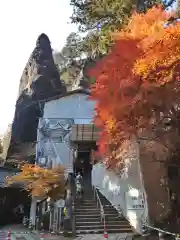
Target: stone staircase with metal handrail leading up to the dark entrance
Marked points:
88	219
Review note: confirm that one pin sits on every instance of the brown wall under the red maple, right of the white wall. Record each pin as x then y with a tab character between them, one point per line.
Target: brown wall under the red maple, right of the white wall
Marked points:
153	173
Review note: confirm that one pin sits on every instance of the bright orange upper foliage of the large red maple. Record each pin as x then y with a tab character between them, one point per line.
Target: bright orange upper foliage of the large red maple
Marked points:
159	43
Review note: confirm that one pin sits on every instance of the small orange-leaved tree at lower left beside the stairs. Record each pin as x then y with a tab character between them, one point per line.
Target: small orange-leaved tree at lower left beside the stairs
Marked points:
40	182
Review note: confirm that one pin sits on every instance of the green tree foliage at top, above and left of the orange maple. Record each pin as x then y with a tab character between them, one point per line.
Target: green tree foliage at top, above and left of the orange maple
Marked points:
101	17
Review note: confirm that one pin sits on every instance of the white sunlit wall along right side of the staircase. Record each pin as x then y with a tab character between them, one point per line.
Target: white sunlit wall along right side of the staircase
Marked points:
119	190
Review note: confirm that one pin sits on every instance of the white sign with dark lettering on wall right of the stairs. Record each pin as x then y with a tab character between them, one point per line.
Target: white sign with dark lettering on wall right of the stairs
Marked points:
135	200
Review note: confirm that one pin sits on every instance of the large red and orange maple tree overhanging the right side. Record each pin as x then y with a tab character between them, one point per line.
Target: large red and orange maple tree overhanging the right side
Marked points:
138	84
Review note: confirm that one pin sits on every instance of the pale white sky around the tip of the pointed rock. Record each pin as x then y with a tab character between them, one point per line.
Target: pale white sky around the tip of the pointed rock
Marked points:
21	21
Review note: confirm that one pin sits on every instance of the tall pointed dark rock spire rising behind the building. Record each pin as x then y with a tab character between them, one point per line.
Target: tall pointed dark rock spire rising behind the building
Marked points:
40	80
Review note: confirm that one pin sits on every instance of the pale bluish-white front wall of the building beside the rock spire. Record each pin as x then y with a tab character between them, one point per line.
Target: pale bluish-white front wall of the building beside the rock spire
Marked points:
77	107
